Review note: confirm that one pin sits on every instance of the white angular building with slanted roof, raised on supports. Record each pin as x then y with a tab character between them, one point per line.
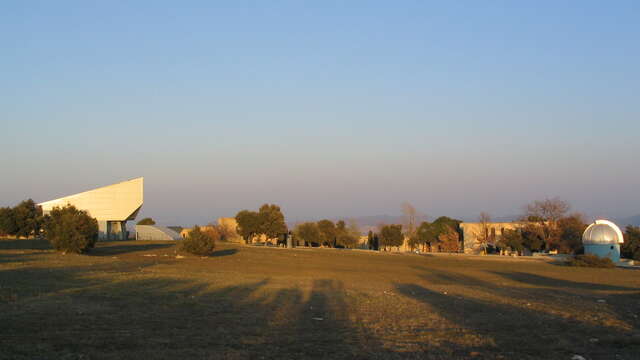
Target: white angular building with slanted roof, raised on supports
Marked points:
111	205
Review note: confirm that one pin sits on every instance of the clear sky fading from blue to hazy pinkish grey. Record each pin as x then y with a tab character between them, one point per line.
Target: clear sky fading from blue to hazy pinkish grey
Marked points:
327	108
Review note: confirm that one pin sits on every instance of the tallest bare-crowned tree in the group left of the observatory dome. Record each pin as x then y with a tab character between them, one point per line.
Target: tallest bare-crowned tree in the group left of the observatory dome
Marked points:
546	214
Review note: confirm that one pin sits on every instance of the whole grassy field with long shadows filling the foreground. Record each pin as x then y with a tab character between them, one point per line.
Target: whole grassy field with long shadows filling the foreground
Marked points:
137	300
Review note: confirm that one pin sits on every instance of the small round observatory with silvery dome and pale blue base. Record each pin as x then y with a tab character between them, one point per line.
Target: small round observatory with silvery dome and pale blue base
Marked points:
603	238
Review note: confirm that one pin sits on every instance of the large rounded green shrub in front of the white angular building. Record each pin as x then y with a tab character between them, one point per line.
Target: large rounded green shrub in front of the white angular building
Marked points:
71	230
